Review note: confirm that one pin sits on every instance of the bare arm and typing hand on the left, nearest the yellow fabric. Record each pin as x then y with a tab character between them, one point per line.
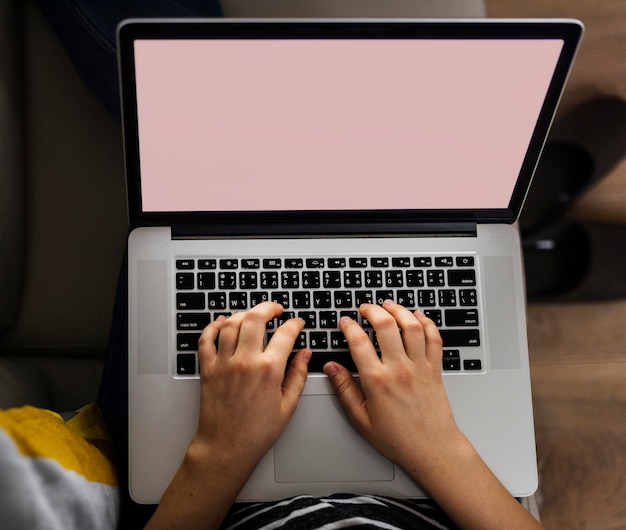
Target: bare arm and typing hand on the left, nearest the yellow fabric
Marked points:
246	401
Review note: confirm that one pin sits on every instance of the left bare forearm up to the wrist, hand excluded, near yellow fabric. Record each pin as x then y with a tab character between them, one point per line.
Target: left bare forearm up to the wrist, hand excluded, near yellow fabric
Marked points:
201	493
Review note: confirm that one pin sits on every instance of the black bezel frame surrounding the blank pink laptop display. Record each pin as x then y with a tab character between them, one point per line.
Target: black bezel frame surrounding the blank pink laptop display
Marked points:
569	31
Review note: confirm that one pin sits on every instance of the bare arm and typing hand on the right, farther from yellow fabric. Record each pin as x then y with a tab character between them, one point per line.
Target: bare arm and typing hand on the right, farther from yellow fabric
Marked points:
403	411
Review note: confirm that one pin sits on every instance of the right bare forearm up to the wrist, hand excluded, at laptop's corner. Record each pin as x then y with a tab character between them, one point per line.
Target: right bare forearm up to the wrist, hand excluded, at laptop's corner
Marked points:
466	489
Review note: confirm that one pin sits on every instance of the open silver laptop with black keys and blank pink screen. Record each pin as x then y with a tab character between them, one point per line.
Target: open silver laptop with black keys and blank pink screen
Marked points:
323	164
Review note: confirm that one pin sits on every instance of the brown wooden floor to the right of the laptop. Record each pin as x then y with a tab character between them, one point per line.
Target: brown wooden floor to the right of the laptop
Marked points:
578	351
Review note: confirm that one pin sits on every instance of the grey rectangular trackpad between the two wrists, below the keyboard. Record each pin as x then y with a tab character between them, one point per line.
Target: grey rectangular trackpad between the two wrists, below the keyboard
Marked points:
320	445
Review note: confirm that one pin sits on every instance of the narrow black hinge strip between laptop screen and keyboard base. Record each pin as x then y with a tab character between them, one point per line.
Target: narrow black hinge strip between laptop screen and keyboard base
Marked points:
280	230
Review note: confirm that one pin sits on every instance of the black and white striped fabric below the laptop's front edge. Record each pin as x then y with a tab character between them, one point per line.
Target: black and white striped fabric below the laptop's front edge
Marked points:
339	511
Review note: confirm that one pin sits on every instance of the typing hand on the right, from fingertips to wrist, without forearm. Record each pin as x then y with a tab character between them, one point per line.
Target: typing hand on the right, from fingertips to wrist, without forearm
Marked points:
401	406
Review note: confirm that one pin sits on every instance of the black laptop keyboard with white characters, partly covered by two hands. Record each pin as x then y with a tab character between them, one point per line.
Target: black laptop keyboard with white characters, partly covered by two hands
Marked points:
321	290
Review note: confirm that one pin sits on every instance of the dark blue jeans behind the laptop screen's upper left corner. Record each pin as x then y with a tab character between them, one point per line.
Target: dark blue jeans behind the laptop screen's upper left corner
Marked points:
87	30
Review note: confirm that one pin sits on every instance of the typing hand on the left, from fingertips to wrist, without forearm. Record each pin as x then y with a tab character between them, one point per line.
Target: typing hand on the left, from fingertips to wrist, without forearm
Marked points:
247	397
